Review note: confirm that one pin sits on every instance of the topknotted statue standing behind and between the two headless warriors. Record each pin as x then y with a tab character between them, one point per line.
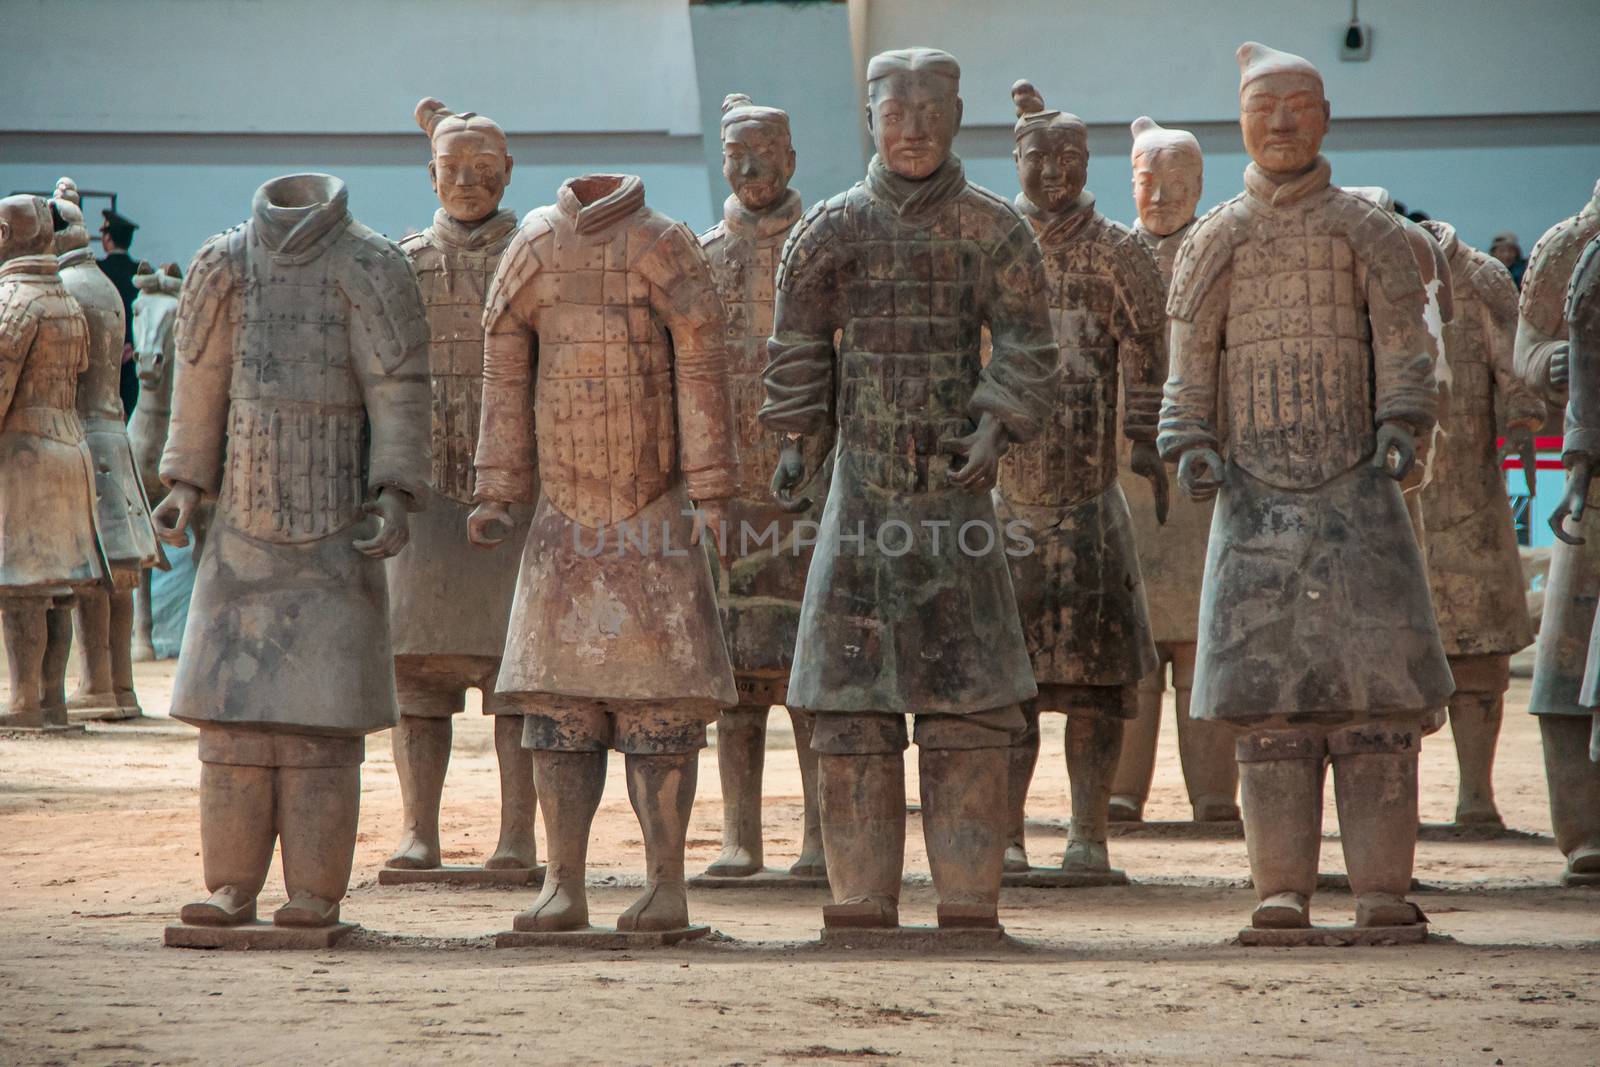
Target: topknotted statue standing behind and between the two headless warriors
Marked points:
449	601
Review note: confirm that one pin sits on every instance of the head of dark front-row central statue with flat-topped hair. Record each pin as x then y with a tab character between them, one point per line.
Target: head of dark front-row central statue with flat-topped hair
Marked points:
914	108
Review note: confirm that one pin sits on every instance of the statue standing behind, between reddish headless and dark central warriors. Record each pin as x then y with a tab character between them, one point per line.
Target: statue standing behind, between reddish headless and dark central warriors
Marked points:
761	593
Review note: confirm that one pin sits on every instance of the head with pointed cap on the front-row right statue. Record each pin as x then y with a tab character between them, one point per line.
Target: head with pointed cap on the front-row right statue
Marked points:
1282	110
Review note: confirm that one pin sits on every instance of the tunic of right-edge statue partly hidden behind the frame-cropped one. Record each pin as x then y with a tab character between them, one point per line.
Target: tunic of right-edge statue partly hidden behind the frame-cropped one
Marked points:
1574	585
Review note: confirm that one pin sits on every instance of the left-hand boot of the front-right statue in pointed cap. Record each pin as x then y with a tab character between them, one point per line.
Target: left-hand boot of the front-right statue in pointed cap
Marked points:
1281	781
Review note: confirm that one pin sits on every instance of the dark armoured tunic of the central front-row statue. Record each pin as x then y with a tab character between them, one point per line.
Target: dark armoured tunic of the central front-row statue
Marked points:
898	615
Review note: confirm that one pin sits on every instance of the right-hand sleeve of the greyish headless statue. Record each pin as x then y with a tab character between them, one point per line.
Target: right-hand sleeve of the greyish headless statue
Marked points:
390	351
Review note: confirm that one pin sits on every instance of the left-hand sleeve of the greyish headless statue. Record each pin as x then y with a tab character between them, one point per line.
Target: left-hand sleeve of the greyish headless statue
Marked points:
207	332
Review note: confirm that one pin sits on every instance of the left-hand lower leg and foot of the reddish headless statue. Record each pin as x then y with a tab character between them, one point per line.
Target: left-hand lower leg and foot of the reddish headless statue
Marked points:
570	786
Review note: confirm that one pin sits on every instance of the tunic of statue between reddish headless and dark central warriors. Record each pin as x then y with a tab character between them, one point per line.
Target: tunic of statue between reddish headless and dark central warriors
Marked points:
761	593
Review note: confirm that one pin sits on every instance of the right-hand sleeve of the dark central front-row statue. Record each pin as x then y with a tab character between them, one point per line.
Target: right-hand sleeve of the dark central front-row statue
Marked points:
1020	382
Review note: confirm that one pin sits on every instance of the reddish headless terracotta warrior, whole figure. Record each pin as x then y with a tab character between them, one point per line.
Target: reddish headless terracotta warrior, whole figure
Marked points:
606	396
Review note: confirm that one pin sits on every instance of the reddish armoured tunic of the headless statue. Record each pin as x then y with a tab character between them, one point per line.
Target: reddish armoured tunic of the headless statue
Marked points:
606	327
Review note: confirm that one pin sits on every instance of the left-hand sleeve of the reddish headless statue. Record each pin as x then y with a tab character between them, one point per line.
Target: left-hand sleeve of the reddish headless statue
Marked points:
506	466
